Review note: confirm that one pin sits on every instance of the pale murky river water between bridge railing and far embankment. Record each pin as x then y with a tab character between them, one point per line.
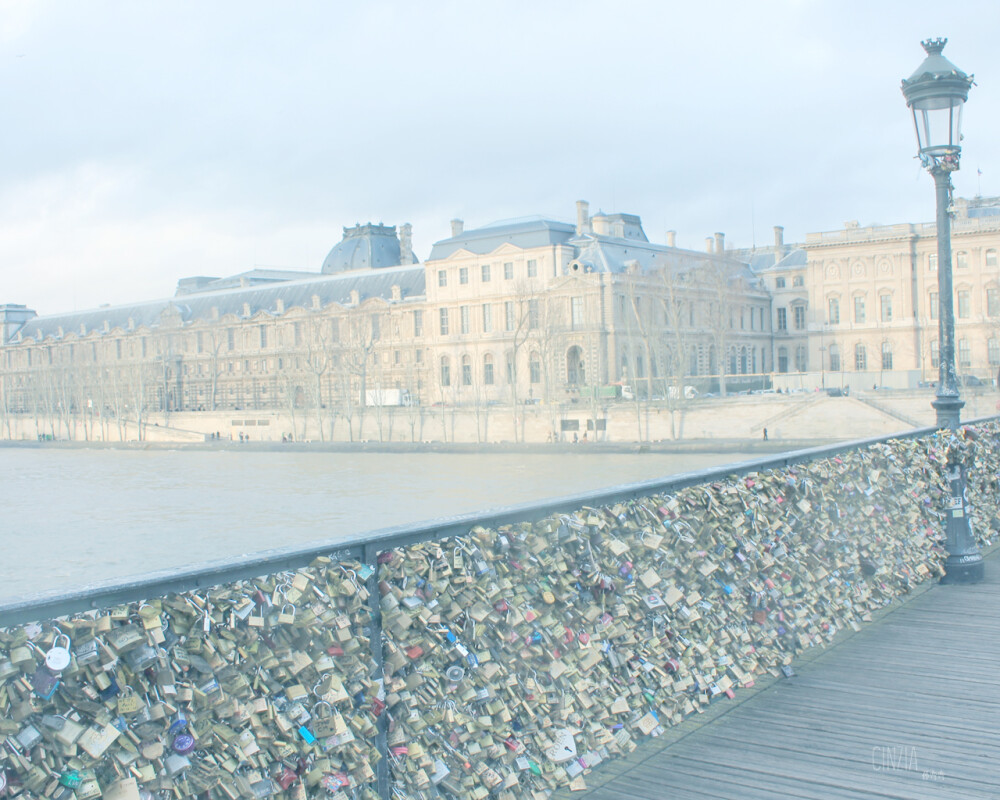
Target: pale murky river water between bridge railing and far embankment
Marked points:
73	517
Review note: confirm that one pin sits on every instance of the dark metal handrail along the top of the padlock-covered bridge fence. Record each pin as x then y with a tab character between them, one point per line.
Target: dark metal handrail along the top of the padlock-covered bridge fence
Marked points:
366	545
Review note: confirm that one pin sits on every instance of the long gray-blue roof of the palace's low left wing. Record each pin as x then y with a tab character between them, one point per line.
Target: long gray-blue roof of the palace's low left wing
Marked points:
329	289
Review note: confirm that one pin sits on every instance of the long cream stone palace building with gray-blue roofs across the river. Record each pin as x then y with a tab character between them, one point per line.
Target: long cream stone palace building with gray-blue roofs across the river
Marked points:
528	310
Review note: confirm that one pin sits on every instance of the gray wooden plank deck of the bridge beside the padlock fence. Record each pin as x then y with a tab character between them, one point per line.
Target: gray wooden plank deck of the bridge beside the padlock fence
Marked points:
909	707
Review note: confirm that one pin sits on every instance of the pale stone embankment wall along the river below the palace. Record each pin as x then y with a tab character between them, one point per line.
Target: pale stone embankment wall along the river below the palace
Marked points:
805	416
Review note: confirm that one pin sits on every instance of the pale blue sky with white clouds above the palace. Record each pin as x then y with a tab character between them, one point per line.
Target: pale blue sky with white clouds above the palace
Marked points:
145	142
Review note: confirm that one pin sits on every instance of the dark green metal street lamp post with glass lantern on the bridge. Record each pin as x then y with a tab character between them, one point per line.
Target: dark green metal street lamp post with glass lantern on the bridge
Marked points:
936	93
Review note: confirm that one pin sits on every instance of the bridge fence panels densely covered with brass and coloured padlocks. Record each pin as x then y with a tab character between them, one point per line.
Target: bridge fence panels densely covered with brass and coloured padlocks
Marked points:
504	662
